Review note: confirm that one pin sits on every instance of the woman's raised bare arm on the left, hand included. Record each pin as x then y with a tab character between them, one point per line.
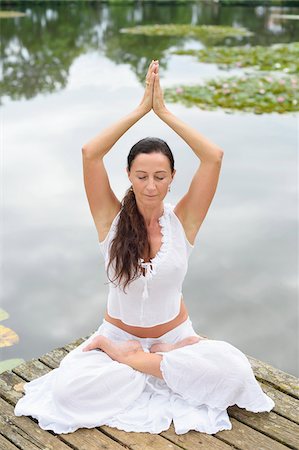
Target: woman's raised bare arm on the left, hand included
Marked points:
103	203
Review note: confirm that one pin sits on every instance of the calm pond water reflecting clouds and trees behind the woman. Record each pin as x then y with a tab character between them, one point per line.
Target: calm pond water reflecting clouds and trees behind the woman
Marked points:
67	73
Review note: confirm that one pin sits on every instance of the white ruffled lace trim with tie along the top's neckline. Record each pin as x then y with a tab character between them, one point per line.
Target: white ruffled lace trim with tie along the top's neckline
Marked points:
151	266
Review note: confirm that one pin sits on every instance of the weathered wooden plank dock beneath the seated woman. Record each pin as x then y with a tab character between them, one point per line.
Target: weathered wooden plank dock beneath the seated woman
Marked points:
276	430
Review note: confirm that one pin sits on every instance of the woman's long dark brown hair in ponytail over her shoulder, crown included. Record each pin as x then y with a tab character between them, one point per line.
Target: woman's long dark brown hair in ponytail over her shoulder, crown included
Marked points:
131	238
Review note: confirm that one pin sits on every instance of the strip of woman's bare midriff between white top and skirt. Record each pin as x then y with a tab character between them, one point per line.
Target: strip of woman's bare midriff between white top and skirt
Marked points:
151	332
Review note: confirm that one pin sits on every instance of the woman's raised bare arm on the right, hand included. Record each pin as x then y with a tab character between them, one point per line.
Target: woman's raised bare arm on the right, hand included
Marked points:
193	207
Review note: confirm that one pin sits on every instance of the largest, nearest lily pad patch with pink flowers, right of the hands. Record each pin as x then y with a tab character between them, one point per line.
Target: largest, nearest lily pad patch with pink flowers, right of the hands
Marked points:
258	93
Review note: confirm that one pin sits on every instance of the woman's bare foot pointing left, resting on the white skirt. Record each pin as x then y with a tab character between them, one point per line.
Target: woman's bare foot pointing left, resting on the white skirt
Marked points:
117	351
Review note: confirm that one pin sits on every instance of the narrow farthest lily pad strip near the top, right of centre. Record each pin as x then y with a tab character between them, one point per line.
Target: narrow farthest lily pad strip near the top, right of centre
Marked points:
208	33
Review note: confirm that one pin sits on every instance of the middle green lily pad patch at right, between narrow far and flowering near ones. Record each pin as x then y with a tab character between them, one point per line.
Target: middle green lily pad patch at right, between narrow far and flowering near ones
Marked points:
281	57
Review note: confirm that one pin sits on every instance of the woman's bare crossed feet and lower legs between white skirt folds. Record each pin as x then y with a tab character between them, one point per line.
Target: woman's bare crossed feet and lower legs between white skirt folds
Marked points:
130	352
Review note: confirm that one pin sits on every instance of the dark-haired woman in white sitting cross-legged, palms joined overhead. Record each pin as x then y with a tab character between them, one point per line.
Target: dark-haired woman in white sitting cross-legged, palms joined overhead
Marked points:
145	365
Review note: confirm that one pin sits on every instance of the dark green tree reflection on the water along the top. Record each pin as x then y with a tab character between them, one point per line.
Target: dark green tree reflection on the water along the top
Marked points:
39	48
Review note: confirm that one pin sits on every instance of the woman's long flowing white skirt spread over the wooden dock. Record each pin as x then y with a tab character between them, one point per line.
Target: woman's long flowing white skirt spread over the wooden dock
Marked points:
90	389
